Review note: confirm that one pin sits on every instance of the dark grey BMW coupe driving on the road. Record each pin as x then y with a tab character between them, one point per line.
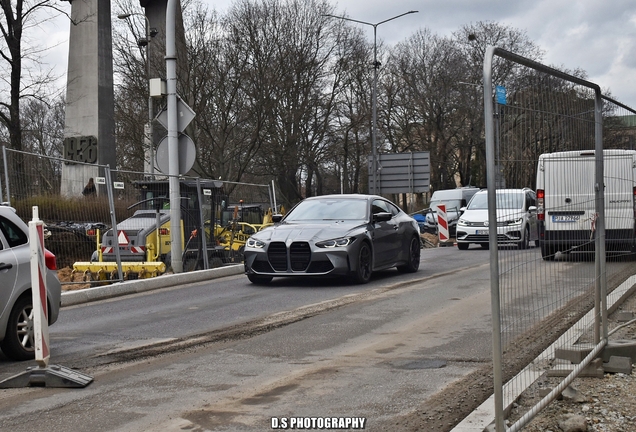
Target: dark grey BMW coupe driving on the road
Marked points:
335	235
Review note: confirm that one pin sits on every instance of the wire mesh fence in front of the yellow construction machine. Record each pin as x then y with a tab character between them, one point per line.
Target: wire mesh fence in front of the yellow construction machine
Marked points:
81	203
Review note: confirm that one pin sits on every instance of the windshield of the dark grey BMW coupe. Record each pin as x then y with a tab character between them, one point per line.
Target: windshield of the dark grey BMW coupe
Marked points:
329	209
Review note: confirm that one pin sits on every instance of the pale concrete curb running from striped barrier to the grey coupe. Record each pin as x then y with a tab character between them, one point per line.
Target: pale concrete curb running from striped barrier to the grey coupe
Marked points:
70	298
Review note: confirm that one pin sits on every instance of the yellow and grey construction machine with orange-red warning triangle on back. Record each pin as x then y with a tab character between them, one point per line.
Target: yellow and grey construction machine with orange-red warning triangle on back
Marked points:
143	241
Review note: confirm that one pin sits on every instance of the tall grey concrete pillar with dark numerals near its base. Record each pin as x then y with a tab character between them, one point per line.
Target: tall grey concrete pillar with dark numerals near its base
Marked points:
89	132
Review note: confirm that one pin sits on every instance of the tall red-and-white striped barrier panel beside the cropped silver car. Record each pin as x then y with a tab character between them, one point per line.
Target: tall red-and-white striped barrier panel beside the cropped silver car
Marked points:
38	289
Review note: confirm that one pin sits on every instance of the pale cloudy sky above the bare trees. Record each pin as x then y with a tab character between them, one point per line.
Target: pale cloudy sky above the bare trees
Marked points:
596	36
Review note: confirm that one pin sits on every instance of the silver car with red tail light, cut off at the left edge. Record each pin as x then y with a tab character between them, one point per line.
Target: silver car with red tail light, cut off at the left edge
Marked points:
16	308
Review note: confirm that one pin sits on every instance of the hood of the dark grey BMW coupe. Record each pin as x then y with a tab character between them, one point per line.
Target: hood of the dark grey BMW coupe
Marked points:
309	232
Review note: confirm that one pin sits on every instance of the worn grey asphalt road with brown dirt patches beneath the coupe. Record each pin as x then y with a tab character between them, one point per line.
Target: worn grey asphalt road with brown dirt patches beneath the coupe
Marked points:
228	355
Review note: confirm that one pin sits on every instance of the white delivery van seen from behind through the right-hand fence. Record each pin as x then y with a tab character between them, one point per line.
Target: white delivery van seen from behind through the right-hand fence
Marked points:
566	201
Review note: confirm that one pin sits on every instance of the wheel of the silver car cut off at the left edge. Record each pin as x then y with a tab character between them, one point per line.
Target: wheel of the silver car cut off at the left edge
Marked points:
19	341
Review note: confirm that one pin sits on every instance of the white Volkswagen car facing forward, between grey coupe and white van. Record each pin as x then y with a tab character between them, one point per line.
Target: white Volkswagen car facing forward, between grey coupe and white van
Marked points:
516	219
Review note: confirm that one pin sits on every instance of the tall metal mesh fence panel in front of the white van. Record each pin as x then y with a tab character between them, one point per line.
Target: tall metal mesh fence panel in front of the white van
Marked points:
550	263
